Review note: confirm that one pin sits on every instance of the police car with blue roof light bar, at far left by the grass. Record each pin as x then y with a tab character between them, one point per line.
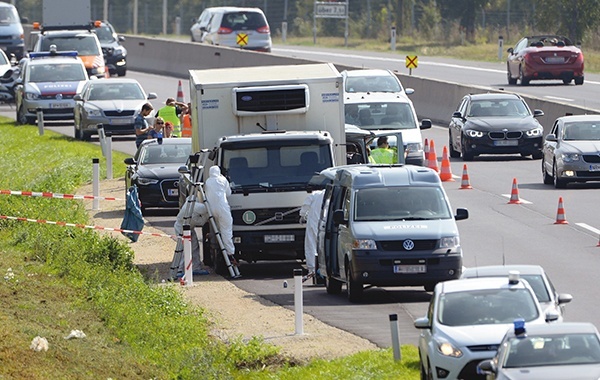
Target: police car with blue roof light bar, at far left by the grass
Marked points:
49	81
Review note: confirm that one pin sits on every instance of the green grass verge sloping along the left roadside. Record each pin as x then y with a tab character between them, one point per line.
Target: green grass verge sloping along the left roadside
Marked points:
57	279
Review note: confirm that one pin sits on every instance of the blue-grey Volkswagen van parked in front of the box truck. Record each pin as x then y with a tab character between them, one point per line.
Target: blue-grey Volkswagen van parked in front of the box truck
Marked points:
386	225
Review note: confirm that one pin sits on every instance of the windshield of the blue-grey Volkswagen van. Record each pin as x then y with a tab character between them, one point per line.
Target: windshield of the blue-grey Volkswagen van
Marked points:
401	203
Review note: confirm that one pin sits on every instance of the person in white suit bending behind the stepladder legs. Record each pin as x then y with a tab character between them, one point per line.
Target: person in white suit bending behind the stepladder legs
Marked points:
198	219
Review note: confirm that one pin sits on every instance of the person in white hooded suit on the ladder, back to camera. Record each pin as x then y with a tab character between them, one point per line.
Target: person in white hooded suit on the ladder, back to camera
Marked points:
217	190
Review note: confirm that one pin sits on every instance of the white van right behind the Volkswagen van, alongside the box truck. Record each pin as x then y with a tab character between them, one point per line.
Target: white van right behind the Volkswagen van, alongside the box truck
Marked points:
390	112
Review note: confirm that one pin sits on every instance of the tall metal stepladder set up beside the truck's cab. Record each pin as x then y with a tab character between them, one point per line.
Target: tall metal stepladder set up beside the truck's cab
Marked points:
194	186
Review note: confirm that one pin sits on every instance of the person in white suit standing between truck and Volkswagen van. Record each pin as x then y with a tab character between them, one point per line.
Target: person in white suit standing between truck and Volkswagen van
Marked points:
310	212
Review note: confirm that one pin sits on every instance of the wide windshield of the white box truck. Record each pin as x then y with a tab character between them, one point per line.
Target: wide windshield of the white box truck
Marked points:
268	167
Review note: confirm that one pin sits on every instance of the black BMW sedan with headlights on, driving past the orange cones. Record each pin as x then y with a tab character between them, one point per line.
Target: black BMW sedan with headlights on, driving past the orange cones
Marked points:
495	124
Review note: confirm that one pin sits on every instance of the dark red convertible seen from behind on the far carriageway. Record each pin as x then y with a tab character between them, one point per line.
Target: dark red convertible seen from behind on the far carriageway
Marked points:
544	57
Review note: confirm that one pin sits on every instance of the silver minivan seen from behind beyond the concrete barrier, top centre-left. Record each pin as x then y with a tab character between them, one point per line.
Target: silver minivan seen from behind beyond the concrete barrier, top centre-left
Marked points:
245	28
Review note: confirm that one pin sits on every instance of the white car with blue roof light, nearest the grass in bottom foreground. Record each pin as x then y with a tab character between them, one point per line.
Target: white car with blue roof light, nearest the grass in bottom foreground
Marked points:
467	319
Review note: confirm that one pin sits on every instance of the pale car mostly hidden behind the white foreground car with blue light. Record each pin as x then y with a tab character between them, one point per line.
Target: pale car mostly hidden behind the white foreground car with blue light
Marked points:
535	275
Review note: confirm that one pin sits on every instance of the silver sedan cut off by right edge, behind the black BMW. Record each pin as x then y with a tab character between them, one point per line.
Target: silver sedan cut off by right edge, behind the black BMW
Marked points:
571	151
